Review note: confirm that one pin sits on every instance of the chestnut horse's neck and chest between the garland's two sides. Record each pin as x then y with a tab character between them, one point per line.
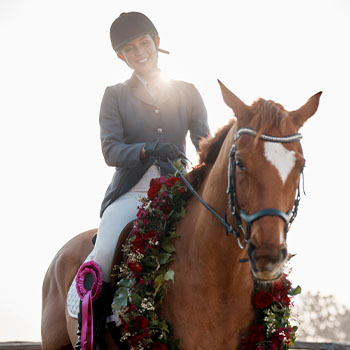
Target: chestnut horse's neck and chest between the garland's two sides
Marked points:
212	287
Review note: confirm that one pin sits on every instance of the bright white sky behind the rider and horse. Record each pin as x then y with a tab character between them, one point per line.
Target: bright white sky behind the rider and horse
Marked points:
55	63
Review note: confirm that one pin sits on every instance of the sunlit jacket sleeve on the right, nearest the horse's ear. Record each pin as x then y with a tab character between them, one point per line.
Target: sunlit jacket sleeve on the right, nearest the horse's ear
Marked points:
199	120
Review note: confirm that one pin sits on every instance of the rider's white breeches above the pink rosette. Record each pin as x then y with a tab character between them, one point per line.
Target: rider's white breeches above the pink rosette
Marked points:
116	216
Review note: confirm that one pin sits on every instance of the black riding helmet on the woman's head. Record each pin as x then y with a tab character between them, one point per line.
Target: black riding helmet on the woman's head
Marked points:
129	26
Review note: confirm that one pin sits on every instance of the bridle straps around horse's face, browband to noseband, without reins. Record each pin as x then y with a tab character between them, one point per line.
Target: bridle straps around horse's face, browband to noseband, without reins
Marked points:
237	212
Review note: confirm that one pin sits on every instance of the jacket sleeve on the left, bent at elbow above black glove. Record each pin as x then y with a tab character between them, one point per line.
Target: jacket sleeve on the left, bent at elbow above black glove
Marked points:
115	151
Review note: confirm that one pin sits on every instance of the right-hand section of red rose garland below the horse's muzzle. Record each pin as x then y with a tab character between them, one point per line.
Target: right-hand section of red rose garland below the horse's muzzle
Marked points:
272	329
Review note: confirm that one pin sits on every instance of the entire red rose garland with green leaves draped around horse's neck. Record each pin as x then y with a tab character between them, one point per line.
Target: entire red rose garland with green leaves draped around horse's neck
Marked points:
143	277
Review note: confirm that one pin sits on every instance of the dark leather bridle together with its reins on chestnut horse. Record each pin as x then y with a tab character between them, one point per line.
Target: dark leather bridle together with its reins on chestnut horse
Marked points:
237	213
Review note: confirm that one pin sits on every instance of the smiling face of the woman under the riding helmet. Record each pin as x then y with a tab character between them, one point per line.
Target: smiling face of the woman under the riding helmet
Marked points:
141	54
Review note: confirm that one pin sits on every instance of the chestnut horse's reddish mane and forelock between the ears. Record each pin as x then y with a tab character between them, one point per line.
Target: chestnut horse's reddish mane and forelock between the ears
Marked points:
262	116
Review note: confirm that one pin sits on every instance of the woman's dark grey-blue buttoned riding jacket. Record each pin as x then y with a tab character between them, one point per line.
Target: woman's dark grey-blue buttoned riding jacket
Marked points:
130	117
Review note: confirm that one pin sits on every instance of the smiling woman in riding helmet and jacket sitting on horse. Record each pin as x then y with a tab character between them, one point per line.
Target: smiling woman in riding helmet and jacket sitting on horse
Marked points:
144	121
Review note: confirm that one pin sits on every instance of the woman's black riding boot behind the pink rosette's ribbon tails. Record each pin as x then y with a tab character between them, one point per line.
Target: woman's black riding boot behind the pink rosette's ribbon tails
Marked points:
101	309
